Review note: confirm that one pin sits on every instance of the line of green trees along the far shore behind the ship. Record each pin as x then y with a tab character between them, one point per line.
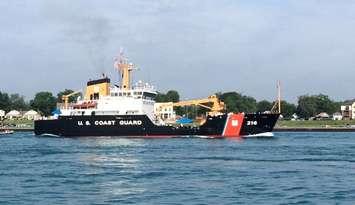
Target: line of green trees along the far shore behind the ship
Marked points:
307	105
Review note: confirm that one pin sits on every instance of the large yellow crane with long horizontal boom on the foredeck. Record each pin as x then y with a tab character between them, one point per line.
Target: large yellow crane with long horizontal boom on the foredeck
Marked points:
212	103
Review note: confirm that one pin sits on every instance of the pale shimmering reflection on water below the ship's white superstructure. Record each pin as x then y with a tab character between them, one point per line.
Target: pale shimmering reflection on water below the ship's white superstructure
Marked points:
113	163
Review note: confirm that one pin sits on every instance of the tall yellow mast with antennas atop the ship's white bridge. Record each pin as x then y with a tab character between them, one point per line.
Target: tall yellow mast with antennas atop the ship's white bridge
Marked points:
125	68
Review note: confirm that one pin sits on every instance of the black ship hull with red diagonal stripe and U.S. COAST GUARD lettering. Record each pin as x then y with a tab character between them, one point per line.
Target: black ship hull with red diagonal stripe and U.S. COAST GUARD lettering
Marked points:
232	125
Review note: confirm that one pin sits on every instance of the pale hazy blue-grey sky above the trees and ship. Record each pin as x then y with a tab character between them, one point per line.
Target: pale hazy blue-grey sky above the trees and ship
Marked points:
195	47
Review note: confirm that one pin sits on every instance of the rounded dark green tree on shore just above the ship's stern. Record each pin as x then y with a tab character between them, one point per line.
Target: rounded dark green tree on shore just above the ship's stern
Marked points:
44	102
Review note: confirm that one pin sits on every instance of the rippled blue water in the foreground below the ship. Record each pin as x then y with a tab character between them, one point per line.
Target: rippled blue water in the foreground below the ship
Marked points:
291	168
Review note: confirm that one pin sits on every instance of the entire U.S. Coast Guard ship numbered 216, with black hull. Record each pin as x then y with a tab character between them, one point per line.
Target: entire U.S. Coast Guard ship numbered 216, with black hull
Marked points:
131	111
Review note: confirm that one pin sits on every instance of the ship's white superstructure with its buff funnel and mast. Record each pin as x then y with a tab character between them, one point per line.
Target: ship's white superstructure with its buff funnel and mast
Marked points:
103	99
